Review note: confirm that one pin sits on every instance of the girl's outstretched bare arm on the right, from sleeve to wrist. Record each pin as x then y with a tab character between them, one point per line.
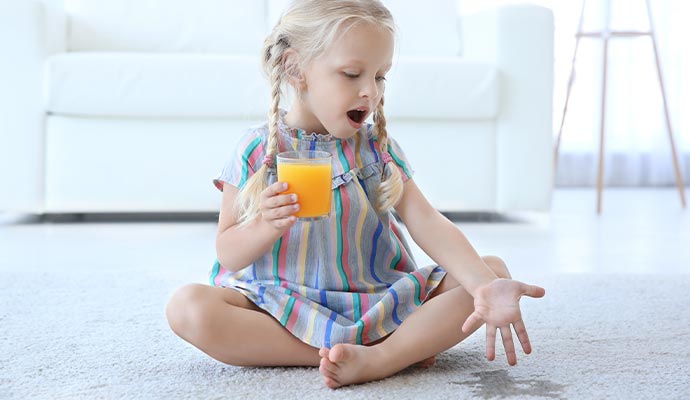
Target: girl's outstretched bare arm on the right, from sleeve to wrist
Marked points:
442	240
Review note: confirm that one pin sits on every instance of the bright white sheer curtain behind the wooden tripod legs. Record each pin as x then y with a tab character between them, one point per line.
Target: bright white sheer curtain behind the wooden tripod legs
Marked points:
637	148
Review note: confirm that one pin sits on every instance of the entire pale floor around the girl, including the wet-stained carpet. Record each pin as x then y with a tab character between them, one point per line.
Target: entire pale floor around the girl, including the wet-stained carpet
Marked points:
81	309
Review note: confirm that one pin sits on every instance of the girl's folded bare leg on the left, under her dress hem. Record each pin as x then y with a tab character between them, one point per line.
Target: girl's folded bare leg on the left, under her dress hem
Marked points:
227	326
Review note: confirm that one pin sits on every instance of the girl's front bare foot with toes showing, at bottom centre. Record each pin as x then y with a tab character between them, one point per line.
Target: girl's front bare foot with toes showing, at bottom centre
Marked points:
346	364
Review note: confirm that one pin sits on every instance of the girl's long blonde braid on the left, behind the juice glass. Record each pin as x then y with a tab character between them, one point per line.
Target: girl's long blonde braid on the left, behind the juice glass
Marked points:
248	198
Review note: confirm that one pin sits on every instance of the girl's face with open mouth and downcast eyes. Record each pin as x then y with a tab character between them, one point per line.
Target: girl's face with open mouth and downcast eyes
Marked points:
343	86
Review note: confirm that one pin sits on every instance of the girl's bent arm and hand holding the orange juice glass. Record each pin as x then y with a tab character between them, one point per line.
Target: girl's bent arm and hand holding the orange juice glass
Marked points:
237	247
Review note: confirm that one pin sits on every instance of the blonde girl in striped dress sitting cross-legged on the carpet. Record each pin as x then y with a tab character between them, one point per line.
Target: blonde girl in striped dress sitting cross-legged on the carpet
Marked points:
342	293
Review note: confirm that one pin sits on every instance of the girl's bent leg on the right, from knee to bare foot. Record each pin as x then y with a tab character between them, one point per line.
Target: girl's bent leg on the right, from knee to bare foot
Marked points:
433	328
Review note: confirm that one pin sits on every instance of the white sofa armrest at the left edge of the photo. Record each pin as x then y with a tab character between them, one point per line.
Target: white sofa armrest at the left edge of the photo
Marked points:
29	31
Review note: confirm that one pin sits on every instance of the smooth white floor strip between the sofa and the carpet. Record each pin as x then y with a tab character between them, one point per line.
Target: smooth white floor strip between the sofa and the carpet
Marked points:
639	232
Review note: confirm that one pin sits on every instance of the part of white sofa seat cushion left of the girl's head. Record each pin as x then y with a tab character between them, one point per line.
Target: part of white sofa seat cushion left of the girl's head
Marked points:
155	85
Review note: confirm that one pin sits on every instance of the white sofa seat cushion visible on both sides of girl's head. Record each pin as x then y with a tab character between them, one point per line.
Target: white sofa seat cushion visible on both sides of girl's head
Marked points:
176	85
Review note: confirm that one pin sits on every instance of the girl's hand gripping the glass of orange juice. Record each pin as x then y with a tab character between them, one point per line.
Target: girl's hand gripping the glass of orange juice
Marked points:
278	209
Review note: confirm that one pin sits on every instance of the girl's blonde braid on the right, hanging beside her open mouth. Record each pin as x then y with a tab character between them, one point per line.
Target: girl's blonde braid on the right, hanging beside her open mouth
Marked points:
391	187
